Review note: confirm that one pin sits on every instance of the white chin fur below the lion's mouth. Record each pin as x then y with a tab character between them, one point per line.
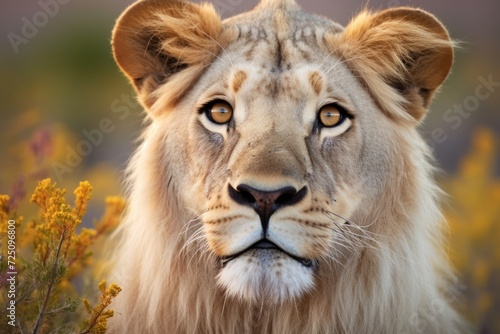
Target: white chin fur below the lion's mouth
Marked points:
265	274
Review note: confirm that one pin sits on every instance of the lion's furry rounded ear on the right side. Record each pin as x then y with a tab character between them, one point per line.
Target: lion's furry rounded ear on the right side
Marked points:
402	54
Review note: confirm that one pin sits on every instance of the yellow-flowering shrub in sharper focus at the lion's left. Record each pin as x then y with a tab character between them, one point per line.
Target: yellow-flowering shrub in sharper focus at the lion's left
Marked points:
51	255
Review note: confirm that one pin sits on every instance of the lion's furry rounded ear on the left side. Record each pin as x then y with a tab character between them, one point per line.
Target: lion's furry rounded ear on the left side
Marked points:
155	40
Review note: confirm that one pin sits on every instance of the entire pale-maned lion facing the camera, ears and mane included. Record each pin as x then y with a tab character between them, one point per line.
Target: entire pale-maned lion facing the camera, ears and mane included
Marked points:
281	184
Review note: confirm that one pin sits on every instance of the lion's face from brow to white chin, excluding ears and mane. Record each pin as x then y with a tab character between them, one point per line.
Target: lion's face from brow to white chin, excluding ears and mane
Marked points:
276	148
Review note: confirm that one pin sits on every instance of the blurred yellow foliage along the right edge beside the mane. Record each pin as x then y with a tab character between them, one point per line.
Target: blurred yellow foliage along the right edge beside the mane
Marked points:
474	220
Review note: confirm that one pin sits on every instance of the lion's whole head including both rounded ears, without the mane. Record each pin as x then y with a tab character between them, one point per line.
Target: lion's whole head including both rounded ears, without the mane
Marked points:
280	132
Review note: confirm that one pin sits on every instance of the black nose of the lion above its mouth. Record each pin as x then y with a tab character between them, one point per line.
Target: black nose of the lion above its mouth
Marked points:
265	203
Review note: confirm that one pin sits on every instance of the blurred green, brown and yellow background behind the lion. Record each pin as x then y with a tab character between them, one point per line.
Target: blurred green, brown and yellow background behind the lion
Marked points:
68	113
